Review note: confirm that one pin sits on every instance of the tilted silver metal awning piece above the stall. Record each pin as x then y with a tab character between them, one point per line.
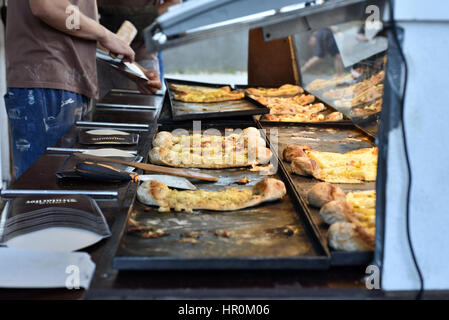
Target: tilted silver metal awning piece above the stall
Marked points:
203	19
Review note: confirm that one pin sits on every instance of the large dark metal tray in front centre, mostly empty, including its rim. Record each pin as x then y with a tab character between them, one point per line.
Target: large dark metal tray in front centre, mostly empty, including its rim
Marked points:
269	236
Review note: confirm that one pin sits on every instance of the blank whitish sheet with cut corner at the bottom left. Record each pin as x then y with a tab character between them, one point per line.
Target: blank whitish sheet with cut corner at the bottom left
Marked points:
44	269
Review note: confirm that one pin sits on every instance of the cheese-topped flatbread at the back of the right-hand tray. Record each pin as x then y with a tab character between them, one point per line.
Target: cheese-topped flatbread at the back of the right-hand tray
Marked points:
351	167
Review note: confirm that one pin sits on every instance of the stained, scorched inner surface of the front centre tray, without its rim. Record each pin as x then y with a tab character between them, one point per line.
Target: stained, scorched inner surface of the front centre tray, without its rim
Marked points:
255	232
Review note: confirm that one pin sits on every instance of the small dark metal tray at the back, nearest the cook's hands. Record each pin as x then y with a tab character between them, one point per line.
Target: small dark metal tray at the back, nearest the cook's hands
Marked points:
196	111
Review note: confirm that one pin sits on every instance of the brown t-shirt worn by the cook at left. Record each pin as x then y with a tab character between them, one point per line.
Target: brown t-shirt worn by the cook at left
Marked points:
39	56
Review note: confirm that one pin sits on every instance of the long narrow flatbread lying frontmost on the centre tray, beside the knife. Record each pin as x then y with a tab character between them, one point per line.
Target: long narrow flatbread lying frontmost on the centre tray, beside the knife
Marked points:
156	193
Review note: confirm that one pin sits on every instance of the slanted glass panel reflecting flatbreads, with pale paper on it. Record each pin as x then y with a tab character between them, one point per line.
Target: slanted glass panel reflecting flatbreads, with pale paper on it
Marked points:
344	65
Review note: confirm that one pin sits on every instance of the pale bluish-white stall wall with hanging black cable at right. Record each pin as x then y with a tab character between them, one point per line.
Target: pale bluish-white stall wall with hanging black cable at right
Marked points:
425	44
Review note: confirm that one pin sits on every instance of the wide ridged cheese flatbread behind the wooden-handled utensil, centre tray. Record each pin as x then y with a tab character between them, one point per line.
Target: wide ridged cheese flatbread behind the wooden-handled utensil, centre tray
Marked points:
210	152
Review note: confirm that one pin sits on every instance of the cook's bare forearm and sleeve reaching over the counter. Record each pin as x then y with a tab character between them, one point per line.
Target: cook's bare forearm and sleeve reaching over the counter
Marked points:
53	13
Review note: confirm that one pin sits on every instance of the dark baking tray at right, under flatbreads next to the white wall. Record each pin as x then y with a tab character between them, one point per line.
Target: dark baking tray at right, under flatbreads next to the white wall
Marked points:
337	139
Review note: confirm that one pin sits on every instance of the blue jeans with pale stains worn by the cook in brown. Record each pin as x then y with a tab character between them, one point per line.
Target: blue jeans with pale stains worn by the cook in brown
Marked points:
37	119
